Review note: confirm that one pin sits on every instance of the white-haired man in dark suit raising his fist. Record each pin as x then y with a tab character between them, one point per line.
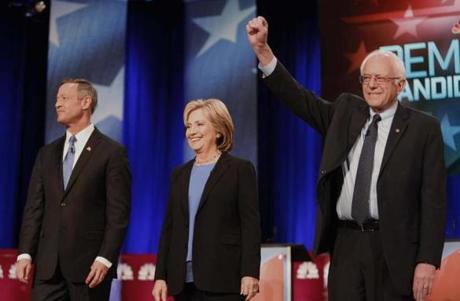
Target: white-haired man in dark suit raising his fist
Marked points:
382	184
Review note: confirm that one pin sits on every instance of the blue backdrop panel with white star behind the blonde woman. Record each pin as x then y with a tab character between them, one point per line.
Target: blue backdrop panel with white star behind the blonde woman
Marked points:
220	64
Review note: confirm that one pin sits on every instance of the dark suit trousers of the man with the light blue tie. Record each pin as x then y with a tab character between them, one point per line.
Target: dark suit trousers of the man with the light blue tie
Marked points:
60	289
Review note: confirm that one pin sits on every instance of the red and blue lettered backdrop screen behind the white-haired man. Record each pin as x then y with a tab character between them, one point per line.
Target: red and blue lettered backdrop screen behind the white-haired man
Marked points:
425	35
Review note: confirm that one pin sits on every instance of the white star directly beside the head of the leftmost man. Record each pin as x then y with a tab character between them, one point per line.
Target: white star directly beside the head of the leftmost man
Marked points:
110	99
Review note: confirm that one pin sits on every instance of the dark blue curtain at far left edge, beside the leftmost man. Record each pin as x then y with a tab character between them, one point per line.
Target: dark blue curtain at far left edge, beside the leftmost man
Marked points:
23	58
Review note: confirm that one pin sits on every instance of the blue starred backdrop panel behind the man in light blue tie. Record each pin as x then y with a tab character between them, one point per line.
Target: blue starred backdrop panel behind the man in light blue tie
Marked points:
87	40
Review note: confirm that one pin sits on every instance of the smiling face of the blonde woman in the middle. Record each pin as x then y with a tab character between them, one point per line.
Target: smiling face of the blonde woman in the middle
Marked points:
200	133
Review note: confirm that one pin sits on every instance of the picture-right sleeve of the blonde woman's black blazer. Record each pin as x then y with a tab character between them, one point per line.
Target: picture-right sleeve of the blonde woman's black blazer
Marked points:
248	206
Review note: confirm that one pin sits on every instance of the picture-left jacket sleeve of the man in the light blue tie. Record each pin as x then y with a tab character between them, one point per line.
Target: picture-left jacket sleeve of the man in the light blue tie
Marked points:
33	210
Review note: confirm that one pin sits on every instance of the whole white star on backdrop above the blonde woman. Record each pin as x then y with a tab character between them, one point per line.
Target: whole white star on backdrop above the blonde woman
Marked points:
223	26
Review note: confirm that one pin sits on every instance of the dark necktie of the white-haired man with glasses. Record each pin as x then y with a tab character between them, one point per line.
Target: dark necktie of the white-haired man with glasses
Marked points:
361	194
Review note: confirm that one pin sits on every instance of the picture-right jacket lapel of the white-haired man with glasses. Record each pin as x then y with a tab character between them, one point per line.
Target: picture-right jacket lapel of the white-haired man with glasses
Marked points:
398	127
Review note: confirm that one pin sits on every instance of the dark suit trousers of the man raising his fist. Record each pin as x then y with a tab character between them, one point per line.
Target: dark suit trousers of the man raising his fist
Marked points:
358	270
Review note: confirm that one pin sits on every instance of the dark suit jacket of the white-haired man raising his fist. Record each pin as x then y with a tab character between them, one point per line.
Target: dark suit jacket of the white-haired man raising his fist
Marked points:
411	186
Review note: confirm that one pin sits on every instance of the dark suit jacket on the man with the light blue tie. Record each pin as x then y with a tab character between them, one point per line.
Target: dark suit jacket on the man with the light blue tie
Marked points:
86	220
